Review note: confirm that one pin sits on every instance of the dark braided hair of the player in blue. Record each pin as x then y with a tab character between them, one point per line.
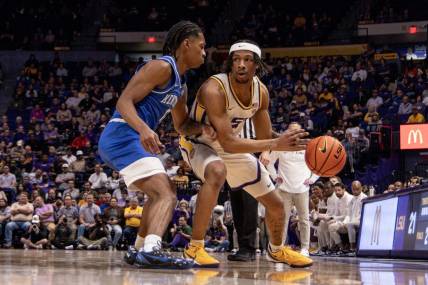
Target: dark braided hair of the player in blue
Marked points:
177	34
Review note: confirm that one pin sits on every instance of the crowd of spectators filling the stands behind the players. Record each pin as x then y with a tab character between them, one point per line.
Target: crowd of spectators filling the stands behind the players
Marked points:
56	192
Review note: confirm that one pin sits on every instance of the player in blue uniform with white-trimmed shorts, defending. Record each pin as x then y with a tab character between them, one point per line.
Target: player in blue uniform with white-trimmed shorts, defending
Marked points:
129	143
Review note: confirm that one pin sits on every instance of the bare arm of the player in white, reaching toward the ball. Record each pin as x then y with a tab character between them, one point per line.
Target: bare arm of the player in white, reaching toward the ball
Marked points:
216	110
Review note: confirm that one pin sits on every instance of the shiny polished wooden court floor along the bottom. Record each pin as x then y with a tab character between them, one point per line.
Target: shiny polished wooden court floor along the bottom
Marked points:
106	267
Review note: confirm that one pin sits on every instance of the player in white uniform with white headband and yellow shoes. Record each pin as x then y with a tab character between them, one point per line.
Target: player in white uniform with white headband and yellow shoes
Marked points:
226	101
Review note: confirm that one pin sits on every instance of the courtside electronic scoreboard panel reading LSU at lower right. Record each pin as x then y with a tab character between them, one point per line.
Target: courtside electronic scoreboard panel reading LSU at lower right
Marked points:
395	225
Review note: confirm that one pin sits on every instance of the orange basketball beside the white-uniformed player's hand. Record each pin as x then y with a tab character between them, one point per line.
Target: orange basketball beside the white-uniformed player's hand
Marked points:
325	156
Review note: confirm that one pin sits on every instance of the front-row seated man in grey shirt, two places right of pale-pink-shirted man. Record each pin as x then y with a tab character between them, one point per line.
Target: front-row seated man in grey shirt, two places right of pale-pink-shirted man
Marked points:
68	215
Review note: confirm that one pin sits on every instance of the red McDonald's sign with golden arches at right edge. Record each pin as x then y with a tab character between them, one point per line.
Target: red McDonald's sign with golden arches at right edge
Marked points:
414	136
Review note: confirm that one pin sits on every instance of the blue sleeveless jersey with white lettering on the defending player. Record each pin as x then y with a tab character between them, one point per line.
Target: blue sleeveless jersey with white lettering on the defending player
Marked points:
155	106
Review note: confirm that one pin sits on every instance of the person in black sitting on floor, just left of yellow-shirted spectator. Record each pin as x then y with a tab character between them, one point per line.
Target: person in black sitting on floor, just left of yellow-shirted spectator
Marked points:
96	237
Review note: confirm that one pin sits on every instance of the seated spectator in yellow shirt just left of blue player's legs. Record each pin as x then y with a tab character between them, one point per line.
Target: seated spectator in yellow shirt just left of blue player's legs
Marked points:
132	216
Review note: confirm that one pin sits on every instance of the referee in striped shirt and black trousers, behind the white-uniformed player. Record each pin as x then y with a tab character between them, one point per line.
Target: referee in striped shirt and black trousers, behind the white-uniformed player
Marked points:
245	213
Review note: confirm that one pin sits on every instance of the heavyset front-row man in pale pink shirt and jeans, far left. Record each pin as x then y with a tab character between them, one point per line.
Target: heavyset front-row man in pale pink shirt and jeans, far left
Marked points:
21	216
